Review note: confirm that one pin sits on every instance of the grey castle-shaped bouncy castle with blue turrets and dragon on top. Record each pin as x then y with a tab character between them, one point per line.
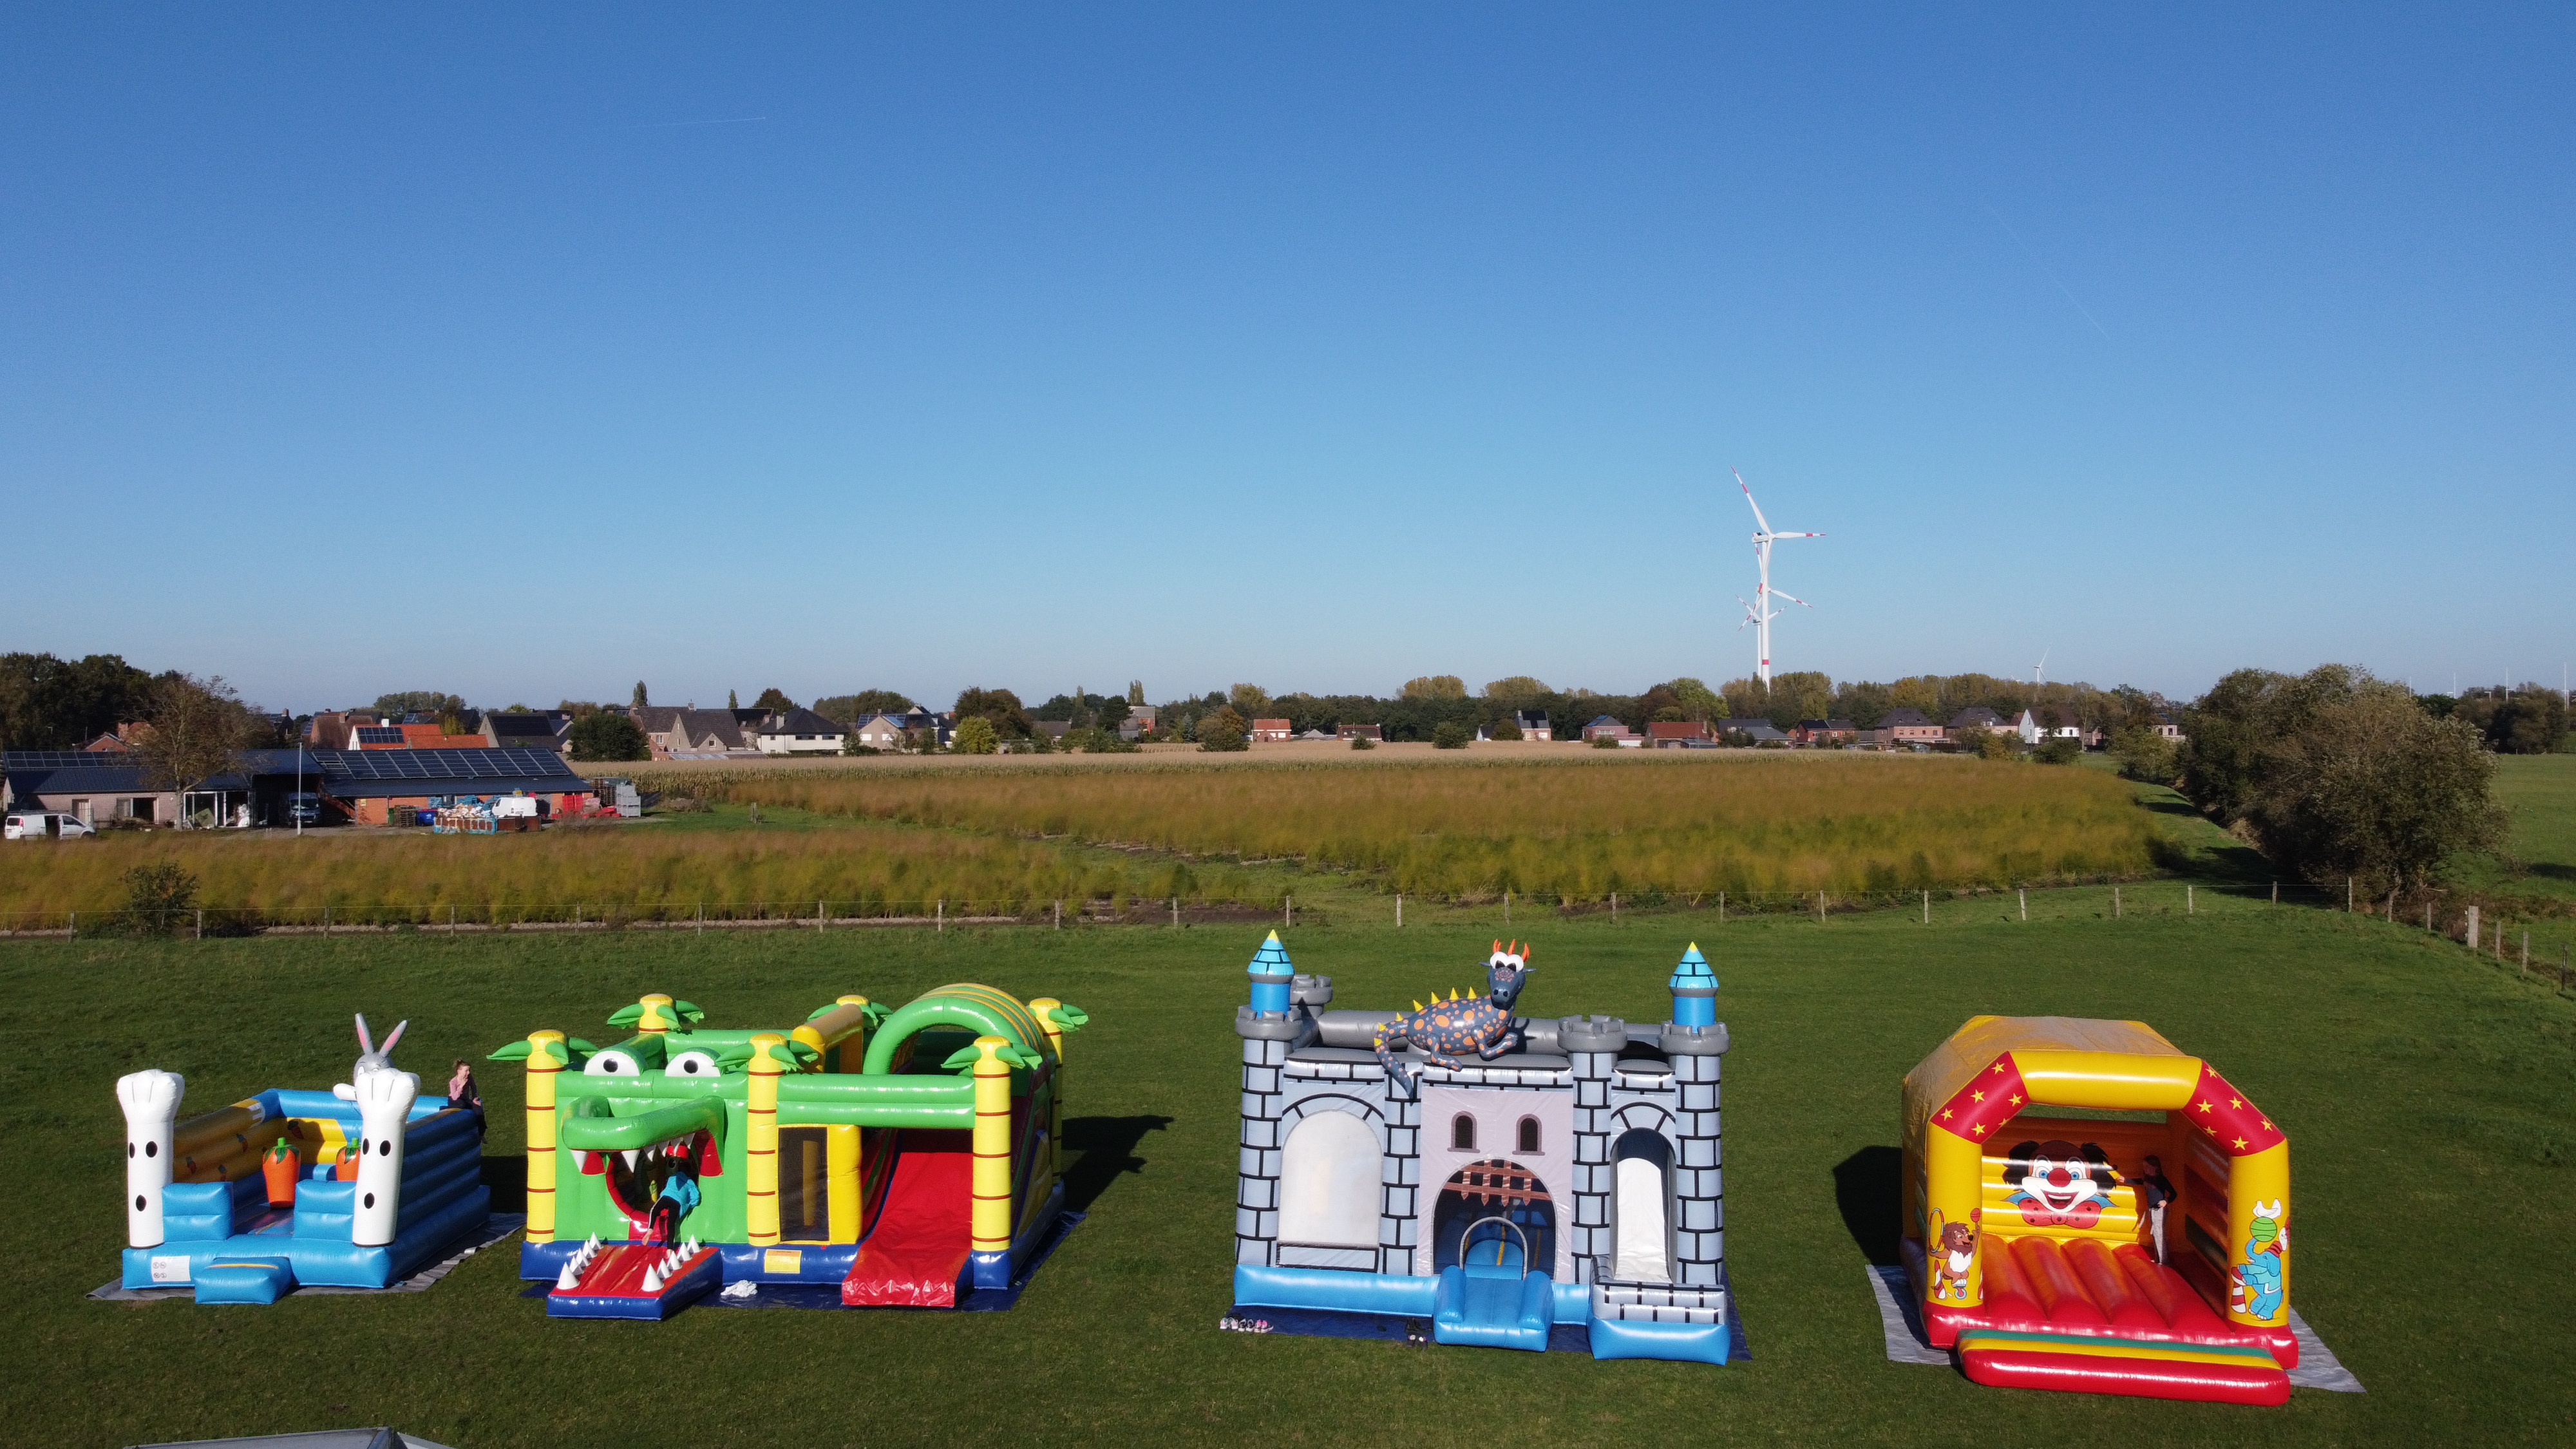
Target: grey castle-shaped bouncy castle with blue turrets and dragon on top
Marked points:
1557	1195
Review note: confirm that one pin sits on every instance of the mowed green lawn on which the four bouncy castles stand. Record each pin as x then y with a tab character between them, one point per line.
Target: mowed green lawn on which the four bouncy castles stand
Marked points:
2425	1092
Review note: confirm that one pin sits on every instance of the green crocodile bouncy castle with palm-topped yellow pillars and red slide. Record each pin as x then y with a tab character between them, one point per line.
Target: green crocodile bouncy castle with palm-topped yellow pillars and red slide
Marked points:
911	1159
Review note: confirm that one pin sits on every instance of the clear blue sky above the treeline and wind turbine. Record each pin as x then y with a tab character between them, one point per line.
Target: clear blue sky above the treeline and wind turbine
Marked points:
529	355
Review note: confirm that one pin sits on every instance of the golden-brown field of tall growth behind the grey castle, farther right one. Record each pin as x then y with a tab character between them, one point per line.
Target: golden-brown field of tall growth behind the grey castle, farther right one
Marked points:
1573	829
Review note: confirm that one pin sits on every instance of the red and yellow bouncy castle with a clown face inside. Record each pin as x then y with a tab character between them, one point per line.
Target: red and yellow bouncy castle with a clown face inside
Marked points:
2145	1254
